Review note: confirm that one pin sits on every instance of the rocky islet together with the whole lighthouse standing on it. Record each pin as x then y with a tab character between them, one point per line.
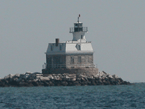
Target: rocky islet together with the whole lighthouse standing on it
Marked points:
68	63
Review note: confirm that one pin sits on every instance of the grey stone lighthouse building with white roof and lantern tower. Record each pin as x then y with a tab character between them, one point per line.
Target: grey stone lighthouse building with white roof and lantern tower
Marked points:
73	54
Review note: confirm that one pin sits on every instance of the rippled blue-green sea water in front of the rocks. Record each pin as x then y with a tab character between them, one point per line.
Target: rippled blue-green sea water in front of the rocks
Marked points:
74	97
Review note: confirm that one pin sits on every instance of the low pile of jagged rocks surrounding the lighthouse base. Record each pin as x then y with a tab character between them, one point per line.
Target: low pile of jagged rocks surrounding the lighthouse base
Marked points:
65	79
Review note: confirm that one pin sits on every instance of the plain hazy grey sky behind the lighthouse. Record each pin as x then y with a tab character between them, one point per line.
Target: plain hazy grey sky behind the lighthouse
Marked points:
116	29
